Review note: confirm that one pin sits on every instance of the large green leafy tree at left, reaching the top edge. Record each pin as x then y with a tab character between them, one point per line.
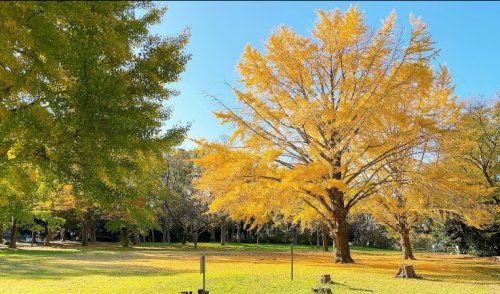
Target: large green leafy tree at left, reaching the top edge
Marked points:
88	81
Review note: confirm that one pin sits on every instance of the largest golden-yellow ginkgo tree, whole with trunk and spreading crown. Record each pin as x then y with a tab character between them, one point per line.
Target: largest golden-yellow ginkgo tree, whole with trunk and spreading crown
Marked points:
311	125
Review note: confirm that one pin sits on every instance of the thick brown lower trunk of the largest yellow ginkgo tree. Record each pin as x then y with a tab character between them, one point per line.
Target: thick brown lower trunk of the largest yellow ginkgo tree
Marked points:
341	250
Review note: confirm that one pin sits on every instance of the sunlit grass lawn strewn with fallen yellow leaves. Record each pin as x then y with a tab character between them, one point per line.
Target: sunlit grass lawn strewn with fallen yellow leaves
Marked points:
244	268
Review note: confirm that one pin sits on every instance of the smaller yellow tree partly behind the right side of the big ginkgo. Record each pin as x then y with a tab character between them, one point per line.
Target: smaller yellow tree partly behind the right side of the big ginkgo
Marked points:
425	187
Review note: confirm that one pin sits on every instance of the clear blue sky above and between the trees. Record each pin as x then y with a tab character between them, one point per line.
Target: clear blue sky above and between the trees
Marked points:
468	34
